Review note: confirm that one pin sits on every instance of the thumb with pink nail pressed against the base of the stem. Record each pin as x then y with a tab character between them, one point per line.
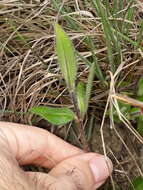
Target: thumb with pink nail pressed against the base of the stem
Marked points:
85	172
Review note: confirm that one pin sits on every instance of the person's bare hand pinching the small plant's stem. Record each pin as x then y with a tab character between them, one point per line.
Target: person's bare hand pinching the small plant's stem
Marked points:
71	168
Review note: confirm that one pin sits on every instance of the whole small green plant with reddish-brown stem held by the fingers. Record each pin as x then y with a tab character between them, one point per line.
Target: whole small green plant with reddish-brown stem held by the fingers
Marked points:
79	94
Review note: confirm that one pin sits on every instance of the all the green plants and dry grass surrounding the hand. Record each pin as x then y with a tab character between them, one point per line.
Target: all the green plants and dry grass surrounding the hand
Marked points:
99	84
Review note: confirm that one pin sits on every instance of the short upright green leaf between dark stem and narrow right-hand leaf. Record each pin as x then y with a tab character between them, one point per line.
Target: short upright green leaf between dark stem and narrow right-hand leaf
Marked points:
81	98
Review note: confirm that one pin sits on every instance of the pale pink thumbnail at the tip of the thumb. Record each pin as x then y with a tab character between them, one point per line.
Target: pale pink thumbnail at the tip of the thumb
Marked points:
101	168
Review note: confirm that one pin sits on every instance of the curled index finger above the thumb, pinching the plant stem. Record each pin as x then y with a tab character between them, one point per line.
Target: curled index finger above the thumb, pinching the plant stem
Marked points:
32	145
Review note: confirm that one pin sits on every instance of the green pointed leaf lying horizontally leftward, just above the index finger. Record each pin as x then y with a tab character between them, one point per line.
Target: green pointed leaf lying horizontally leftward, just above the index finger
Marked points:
56	116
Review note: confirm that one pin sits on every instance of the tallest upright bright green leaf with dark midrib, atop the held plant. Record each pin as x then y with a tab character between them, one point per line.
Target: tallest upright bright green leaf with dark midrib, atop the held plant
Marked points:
66	57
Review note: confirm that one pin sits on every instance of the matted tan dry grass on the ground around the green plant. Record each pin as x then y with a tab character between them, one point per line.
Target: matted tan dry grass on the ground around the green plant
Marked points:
29	74
